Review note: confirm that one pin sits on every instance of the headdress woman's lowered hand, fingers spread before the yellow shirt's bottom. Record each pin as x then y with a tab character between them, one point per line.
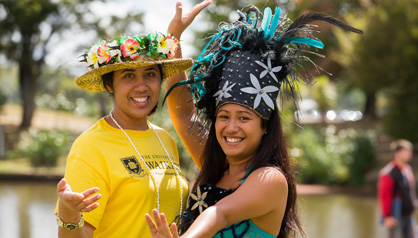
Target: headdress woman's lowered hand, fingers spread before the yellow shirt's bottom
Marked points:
160	228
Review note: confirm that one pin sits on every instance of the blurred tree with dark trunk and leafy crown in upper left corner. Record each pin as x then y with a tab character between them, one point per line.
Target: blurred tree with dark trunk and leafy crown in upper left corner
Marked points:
29	28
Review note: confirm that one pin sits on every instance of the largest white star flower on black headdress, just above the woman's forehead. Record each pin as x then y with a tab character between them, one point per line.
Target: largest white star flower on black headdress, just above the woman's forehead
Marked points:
261	92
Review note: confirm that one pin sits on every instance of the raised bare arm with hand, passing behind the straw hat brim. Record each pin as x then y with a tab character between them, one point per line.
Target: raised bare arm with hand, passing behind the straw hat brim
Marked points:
180	100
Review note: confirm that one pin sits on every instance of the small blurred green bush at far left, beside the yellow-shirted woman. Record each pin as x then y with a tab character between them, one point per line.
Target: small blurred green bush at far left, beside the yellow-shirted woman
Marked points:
44	147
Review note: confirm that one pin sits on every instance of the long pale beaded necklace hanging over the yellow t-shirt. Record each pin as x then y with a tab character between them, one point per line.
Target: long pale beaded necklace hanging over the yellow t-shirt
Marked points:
149	170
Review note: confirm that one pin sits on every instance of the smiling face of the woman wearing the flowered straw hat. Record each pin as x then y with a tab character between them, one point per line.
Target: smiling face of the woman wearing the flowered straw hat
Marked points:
136	92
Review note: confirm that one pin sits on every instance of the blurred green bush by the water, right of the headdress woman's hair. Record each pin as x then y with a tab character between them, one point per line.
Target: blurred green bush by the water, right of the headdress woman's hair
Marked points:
328	156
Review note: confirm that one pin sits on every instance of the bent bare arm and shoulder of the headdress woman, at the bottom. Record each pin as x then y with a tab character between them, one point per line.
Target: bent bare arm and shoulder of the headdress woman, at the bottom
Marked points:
262	198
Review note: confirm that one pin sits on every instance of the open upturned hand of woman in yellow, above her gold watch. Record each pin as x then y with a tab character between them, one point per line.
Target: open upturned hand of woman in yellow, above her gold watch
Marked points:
70	201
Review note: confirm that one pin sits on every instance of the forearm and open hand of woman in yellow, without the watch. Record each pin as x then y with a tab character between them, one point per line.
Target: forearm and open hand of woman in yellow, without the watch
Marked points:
70	206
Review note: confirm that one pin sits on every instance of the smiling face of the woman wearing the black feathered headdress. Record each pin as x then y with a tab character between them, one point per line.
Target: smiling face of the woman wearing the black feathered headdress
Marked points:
238	131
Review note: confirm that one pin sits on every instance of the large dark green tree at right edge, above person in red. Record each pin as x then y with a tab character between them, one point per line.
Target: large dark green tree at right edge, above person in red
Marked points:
384	59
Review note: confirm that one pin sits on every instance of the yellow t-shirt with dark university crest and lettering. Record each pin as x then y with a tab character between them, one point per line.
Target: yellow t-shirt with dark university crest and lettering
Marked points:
103	157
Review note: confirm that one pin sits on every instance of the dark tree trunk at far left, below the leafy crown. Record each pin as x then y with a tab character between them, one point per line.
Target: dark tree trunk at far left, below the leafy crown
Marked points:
27	78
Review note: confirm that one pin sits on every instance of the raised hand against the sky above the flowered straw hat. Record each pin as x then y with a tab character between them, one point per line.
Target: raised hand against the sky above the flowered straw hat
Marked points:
180	22
